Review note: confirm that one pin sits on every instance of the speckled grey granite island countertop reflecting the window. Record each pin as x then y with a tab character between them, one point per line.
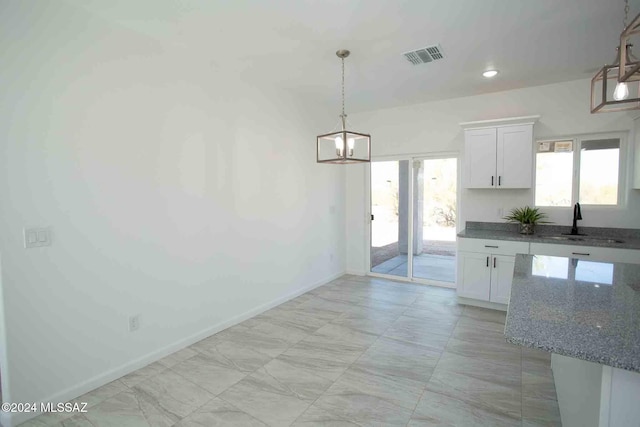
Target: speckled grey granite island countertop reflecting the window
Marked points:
583	309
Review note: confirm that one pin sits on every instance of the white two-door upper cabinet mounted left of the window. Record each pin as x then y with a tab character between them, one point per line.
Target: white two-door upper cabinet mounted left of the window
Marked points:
499	156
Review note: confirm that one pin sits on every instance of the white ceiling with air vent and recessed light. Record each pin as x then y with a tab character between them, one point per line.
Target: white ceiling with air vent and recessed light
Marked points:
291	44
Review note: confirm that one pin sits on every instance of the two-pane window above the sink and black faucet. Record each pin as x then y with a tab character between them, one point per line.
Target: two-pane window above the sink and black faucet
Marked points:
585	170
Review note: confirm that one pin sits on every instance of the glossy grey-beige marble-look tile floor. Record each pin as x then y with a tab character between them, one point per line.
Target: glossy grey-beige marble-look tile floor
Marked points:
357	351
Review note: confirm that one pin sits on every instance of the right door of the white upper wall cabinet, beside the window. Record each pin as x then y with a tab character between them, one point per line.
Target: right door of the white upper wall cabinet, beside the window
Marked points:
514	161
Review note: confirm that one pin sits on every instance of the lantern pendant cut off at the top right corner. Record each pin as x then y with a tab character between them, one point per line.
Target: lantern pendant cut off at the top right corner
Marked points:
616	87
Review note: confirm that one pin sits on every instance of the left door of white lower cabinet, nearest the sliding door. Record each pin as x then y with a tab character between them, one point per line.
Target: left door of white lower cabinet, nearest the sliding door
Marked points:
474	275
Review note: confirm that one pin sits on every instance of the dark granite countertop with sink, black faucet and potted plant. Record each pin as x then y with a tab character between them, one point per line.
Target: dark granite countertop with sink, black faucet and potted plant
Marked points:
593	236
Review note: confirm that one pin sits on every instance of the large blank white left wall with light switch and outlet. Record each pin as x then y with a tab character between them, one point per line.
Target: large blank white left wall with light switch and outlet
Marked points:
174	191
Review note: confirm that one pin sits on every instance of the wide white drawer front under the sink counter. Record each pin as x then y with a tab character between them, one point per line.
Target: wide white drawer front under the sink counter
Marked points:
595	253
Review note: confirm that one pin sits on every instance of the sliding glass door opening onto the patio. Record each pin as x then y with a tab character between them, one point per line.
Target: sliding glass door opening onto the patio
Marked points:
413	226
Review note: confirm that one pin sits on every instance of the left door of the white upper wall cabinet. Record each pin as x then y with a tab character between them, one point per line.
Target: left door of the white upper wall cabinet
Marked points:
480	158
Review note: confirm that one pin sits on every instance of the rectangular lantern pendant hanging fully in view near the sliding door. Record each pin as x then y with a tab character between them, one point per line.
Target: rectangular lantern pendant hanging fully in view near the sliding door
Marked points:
344	146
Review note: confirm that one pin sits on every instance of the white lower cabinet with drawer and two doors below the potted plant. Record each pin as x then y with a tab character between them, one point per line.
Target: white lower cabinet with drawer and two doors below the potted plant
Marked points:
485	272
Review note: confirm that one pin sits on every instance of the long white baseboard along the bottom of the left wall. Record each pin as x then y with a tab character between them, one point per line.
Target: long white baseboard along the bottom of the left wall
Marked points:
13	419
